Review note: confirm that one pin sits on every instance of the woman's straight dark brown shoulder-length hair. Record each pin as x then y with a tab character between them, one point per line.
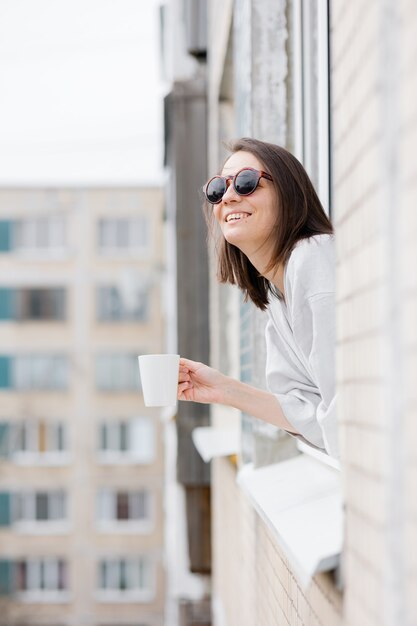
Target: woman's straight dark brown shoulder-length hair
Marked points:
299	215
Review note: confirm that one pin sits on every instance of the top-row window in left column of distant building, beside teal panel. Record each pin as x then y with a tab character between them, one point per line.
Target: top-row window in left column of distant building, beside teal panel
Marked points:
39	233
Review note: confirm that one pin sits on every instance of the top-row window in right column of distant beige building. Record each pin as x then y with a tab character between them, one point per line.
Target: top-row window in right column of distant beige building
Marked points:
123	235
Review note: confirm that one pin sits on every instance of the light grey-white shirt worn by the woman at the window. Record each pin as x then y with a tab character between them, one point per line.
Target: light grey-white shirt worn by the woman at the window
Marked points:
309	405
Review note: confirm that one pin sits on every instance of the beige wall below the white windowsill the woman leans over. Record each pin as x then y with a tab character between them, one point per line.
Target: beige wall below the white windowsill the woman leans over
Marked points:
253	584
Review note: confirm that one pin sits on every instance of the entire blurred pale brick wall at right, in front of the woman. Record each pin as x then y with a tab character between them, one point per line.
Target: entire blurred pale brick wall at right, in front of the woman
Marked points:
374	126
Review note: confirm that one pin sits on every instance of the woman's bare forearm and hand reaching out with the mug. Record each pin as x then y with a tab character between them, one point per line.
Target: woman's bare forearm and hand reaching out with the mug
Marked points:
200	383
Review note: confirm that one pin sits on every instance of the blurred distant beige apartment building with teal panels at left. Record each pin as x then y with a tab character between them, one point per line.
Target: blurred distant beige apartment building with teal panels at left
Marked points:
81	458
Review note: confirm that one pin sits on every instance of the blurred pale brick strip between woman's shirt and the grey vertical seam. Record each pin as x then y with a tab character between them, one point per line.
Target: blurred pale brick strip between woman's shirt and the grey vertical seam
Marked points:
361	300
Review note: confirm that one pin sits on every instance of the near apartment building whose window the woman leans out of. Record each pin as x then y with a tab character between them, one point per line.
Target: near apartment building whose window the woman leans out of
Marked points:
297	540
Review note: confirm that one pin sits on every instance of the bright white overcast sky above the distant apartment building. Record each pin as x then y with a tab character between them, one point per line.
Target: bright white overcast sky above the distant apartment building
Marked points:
80	92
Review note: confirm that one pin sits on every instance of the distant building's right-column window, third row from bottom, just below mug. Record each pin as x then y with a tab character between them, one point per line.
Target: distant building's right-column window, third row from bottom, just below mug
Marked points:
122	441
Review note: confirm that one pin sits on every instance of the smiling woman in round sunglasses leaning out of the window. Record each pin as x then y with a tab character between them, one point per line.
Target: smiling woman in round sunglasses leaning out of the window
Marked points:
276	244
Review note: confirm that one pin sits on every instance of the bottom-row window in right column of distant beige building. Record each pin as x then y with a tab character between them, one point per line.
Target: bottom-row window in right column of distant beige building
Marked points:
124	575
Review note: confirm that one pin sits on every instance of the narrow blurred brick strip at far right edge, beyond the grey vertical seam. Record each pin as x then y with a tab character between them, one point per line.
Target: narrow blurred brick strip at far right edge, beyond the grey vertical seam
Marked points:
408	320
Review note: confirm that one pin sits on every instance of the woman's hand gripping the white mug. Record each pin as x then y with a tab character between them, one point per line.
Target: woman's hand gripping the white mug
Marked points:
199	383
